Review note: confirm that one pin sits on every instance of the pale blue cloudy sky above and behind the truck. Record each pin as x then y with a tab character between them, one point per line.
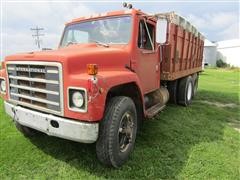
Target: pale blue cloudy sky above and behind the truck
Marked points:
217	20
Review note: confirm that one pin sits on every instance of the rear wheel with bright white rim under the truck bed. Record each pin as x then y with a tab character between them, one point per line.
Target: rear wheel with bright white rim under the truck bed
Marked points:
185	91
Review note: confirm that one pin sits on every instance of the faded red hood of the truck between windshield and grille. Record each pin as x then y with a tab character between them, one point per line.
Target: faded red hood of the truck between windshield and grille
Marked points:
74	58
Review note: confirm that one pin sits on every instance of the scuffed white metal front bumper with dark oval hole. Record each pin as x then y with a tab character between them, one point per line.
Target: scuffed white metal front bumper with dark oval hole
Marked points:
54	125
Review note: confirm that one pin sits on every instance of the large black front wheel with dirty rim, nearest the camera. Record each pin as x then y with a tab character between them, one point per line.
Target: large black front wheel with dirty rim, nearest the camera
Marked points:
117	132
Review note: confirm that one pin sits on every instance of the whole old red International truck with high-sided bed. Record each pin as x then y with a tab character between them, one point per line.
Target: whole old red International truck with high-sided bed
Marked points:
109	72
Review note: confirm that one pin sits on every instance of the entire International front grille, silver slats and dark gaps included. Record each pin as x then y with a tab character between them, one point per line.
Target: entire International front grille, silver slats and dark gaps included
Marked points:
37	85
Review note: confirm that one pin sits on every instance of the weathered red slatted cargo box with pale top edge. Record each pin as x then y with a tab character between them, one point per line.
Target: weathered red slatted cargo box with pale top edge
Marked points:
183	50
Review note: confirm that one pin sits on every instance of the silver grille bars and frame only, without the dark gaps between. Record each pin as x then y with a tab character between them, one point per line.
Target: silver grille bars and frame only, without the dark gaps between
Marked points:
59	92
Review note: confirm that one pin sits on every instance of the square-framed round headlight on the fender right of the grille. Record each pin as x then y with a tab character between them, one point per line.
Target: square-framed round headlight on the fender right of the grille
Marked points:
77	99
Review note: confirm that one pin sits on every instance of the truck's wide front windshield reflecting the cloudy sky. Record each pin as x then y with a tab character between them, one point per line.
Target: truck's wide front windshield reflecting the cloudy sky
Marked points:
115	30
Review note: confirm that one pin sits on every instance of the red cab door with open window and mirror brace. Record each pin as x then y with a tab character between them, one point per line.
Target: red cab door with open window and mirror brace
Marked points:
147	56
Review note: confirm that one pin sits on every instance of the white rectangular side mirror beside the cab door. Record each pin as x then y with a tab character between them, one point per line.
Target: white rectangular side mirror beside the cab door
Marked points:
161	31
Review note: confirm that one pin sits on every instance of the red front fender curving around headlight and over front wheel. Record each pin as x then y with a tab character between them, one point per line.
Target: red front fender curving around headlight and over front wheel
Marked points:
105	81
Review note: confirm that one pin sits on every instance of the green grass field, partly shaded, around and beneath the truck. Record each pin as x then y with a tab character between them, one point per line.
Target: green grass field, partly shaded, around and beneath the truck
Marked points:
198	142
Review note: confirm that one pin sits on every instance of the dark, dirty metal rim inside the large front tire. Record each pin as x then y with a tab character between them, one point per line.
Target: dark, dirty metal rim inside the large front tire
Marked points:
125	132
